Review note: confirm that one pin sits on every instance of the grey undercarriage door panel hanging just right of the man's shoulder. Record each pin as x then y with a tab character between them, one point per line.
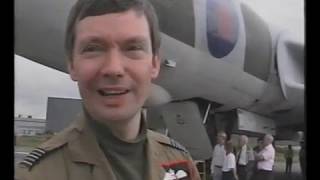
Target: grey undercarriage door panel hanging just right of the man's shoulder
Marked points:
182	121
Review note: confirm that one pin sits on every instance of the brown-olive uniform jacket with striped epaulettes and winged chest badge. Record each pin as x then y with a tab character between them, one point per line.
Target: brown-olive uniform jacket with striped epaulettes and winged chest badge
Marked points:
74	154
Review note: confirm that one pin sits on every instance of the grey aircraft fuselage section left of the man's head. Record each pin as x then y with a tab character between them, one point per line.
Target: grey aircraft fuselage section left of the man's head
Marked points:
39	31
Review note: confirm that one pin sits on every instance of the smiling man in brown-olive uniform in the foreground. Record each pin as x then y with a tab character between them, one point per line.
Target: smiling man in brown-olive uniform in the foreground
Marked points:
112	48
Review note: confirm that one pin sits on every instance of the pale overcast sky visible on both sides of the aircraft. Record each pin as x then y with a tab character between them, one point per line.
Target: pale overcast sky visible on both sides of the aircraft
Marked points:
34	83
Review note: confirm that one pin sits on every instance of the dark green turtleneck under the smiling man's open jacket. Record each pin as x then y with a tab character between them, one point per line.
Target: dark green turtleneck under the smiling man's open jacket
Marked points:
128	158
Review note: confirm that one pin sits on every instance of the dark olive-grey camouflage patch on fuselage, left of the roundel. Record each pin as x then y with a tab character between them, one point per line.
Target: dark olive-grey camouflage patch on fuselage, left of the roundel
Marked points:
176	19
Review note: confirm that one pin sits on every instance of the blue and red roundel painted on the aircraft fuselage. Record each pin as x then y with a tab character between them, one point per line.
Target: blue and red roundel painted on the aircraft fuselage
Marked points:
222	27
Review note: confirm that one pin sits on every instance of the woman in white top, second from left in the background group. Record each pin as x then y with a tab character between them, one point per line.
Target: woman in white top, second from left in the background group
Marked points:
229	163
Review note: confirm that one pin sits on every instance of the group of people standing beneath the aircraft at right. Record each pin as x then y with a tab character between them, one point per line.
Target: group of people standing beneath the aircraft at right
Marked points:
244	163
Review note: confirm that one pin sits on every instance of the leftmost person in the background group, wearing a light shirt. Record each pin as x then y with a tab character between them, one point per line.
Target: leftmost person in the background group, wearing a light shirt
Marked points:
218	156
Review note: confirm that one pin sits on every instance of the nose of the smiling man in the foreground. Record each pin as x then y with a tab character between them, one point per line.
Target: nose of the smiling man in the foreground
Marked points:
113	64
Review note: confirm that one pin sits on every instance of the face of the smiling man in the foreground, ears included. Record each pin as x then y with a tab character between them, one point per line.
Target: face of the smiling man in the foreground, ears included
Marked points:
113	64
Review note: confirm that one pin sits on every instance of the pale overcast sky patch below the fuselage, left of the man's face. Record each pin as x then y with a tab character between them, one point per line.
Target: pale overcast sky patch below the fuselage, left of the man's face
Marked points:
34	83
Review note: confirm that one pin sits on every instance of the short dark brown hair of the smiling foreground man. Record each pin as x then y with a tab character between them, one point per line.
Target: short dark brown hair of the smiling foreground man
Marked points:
85	8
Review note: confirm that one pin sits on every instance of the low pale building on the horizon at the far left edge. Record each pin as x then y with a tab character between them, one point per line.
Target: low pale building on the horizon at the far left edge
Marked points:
28	126
